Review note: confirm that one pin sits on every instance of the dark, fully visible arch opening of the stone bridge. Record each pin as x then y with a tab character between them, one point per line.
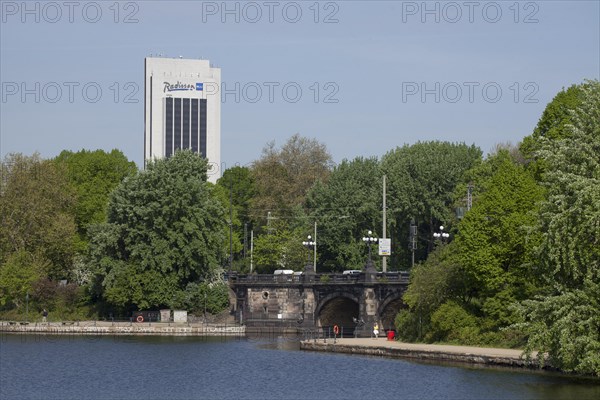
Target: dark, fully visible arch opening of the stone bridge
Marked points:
337	309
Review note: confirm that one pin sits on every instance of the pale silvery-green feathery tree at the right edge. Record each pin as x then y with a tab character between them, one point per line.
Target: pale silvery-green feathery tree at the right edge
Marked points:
564	320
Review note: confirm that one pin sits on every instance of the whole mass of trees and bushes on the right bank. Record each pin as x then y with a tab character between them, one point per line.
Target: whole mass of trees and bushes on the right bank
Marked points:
524	266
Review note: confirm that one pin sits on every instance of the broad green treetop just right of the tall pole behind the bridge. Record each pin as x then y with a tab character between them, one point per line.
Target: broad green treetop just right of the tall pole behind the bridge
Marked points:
421	179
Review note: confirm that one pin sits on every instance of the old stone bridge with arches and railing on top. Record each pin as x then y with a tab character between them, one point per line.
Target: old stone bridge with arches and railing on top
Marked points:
308	301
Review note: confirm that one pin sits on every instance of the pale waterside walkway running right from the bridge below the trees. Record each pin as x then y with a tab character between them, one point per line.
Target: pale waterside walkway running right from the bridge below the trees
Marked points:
428	352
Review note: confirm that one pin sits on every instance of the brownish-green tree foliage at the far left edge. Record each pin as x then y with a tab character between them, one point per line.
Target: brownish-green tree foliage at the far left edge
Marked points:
37	237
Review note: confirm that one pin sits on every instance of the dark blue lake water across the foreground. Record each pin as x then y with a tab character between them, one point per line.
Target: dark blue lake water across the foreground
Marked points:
117	367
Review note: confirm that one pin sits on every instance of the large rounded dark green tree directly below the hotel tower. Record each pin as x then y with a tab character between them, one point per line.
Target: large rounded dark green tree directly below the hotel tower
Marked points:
165	229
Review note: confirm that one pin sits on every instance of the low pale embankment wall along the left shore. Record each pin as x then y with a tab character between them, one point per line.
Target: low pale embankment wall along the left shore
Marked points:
122	328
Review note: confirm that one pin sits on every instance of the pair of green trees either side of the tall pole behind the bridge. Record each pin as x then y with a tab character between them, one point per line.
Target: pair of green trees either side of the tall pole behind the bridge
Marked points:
420	182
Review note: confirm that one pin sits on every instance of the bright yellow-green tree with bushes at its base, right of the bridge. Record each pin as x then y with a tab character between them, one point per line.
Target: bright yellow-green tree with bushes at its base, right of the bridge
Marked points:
487	267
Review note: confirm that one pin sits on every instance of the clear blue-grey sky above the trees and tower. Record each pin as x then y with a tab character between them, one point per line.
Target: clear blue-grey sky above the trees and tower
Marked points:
362	77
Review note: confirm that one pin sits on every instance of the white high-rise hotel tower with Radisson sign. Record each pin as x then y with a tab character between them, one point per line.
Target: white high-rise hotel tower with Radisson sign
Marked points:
182	109
